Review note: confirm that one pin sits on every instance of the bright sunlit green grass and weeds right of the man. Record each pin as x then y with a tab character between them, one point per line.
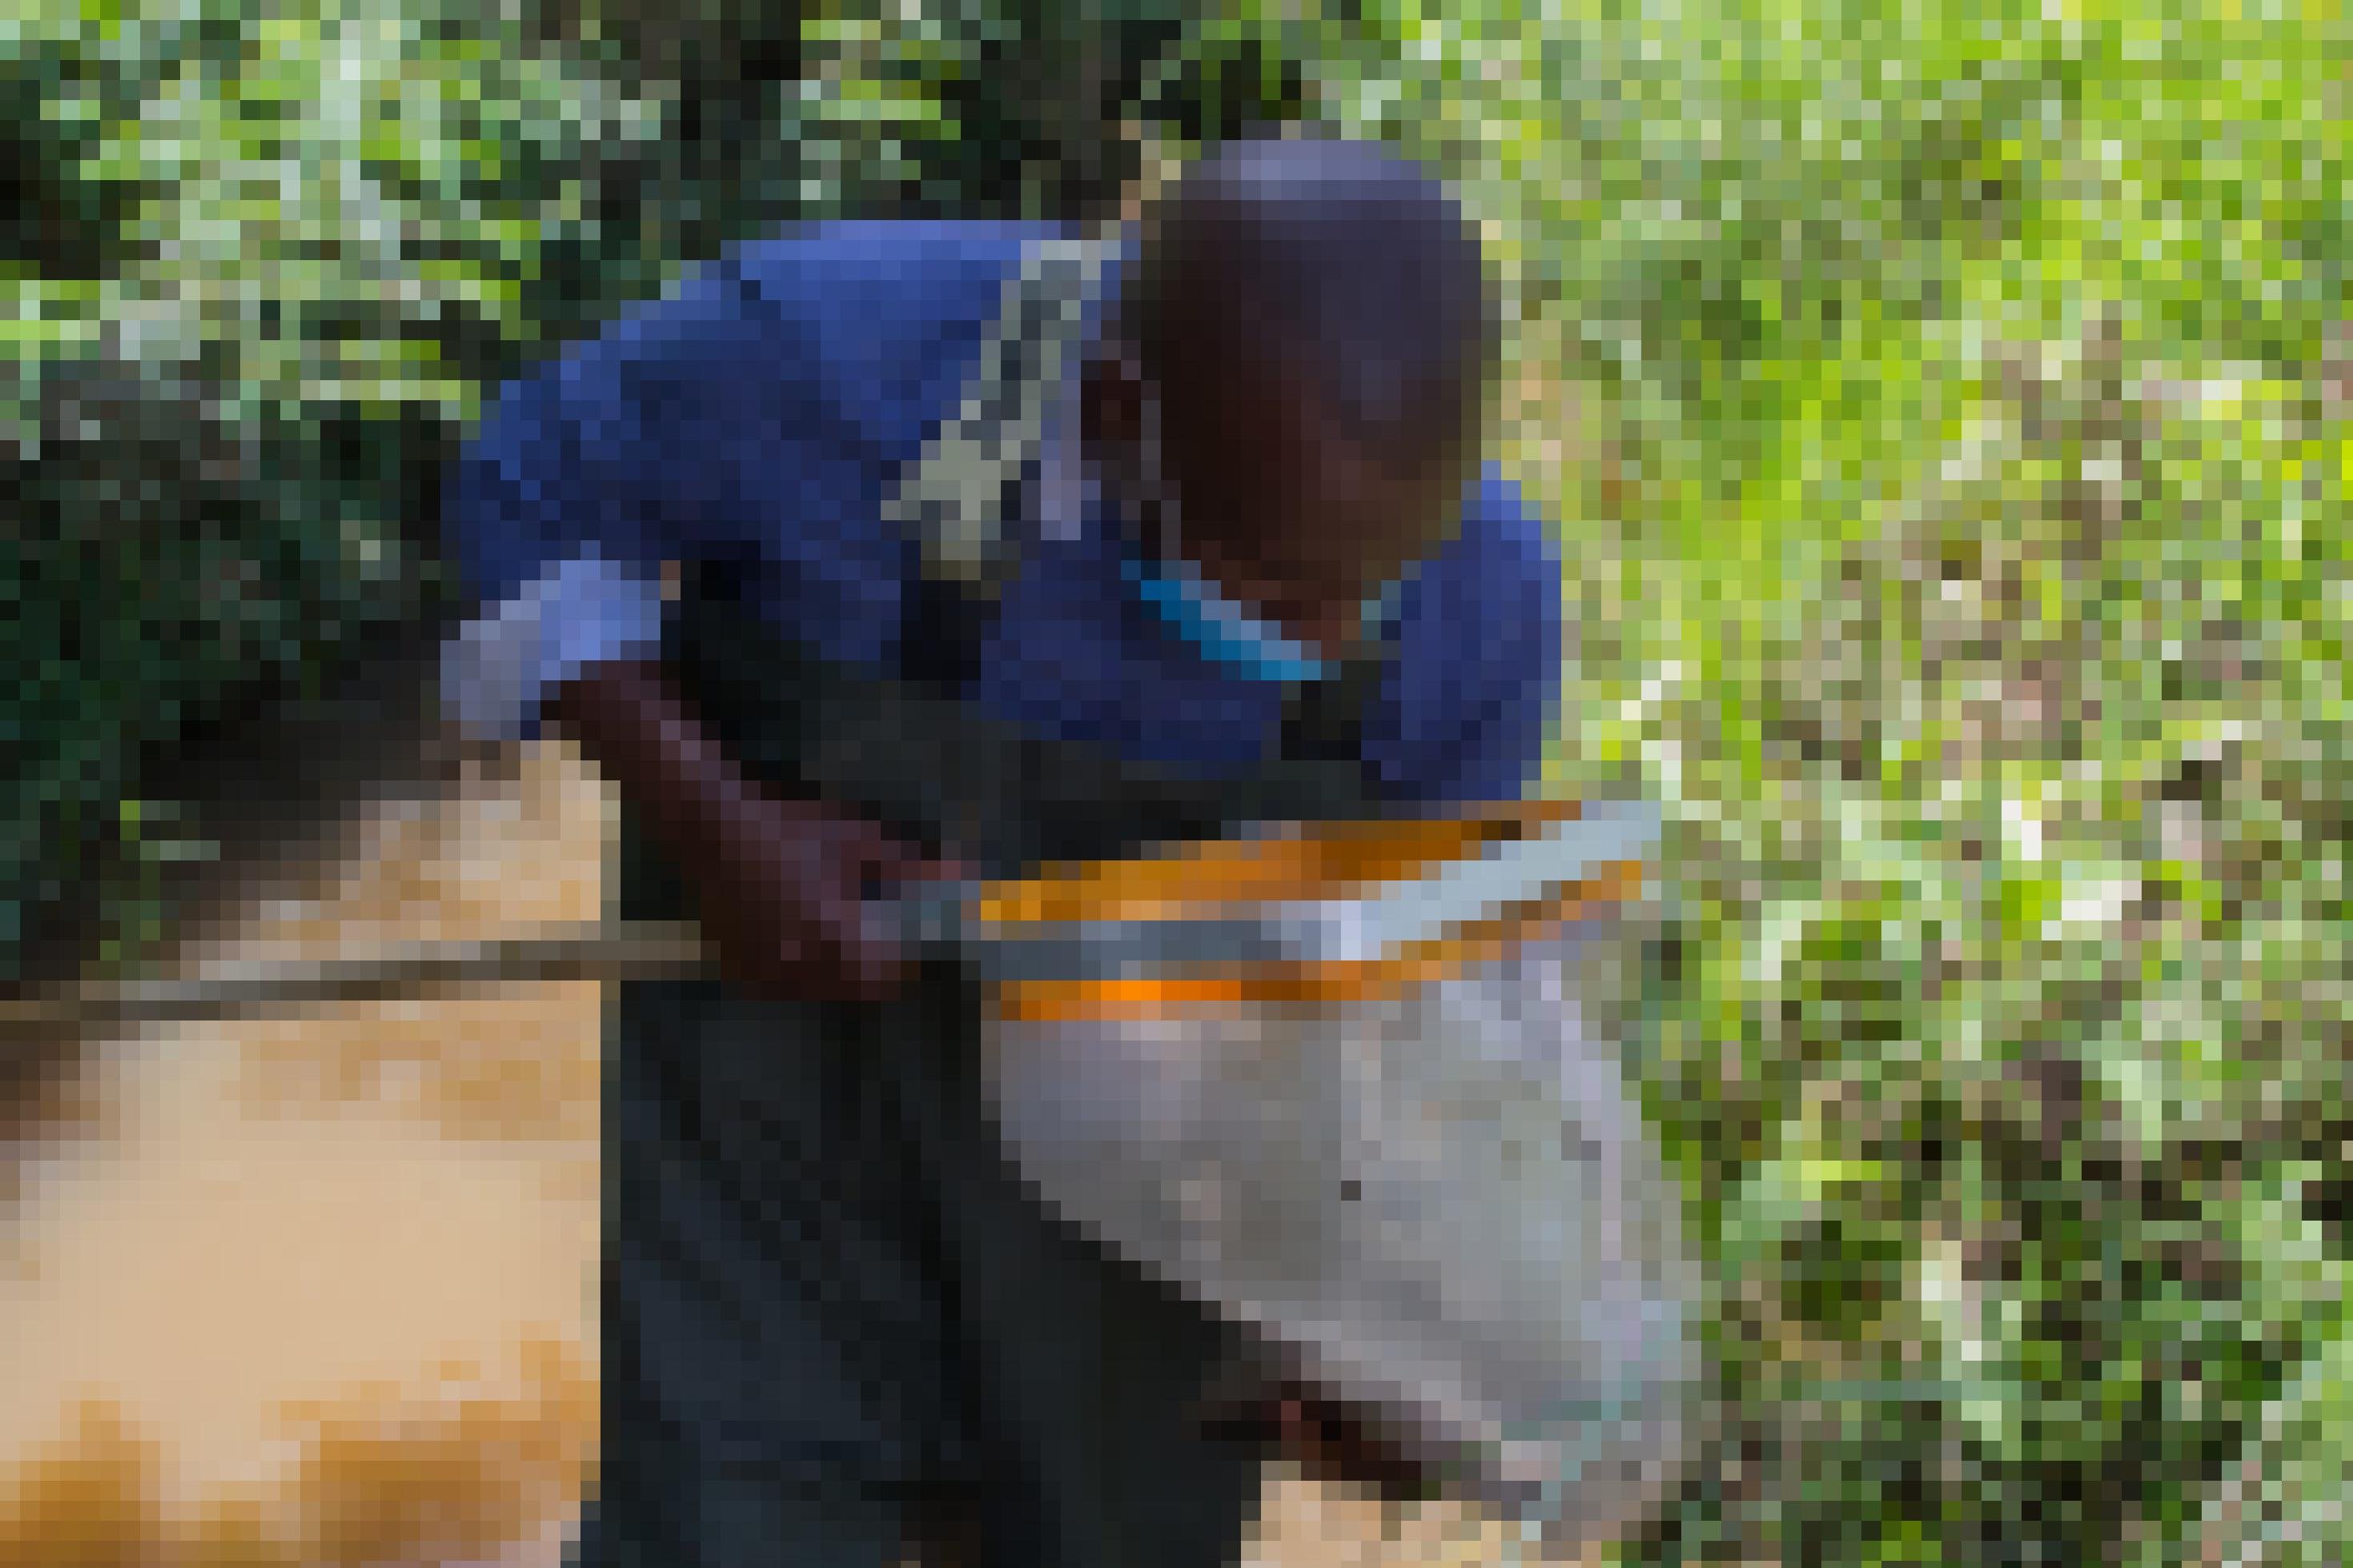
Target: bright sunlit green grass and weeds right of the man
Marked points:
1957	544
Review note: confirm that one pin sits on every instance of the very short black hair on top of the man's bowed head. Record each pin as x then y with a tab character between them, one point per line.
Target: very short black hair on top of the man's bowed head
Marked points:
1342	260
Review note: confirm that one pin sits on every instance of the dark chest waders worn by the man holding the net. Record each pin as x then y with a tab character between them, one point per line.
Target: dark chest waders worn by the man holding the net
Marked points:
829	1304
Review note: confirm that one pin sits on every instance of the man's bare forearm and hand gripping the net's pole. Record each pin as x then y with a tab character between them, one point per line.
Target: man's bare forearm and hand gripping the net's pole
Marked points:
782	885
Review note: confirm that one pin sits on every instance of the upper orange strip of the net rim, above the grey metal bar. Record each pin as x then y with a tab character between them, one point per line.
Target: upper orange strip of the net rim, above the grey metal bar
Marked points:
1312	864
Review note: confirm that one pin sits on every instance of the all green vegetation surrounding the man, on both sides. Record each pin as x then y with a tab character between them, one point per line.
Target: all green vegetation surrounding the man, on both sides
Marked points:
1947	424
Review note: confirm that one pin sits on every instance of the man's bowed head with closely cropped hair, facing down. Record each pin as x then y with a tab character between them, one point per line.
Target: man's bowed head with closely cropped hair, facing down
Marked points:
1295	387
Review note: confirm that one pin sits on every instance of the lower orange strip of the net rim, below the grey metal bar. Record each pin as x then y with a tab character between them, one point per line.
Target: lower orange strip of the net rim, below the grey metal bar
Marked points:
1239	989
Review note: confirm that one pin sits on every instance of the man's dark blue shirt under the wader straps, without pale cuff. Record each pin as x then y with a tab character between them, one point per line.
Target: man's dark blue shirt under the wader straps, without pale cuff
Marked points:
764	408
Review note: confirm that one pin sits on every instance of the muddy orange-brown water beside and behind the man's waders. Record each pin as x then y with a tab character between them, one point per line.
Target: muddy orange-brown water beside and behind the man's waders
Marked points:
326	1278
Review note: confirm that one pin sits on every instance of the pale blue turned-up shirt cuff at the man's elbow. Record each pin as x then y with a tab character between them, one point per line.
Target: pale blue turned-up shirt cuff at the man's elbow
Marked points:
498	671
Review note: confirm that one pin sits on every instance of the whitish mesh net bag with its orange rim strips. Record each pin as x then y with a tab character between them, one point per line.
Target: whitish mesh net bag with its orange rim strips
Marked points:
1399	1155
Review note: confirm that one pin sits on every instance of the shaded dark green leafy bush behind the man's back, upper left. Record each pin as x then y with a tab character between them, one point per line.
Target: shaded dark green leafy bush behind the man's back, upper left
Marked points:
267	264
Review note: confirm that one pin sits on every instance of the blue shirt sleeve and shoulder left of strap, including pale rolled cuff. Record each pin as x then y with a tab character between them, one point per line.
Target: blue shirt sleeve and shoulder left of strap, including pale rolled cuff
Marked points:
754	415
